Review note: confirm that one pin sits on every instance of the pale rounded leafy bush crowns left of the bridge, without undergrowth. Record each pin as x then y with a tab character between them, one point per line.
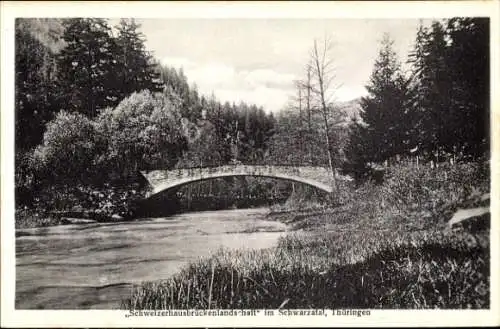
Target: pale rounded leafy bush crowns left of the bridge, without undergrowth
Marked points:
142	132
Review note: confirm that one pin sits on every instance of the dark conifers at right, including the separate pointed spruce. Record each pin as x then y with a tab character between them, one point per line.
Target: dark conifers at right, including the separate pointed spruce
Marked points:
439	111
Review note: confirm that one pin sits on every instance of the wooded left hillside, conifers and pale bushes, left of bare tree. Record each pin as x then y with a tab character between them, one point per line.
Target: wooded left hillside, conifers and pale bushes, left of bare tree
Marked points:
99	108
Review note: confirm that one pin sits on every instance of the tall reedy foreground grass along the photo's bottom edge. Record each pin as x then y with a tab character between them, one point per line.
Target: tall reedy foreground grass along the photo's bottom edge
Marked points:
382	270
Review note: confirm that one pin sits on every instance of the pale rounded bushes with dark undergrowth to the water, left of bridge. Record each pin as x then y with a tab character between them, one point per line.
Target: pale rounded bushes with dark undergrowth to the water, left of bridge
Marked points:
85	164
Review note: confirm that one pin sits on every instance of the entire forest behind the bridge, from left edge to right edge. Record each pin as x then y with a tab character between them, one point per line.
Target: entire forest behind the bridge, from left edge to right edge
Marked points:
93	107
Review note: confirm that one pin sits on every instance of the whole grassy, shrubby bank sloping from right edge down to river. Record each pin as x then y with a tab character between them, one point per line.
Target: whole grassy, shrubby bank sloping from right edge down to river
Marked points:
387	246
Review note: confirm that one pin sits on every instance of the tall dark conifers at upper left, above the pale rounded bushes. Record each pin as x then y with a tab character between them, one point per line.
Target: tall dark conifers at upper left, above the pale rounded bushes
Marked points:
93	68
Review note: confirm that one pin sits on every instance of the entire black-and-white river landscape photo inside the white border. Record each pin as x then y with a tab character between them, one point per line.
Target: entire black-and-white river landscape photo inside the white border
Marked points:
237	167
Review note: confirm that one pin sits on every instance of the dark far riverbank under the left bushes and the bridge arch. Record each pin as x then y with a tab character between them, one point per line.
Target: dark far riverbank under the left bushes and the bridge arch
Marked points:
82	204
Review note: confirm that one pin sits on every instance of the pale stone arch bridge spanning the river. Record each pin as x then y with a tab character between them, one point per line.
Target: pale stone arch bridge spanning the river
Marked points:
163	180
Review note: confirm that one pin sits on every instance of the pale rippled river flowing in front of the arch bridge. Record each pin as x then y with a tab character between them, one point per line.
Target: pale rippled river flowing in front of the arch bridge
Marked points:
95	265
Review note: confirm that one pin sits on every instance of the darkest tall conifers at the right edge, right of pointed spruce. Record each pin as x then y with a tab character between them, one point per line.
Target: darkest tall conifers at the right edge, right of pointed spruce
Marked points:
451	78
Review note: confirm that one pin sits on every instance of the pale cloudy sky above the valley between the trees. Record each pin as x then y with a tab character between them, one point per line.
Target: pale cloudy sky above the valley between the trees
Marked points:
257	60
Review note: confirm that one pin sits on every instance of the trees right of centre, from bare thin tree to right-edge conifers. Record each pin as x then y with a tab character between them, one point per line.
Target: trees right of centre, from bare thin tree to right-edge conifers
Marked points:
437	110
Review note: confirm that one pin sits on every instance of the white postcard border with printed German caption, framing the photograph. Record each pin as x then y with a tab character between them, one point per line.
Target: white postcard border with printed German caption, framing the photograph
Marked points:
350	9
